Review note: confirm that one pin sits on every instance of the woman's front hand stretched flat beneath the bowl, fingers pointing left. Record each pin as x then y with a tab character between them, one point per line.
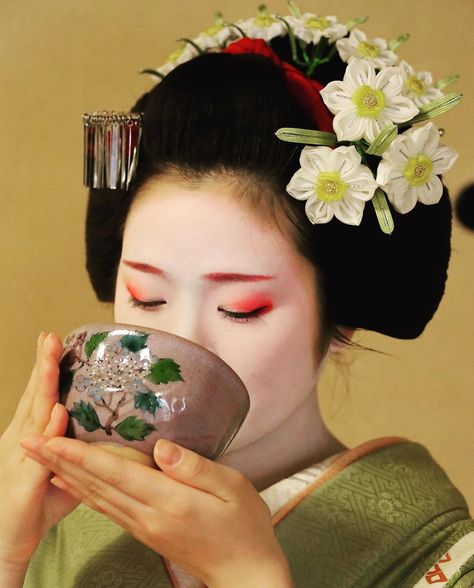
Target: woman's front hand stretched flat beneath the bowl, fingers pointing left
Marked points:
203	516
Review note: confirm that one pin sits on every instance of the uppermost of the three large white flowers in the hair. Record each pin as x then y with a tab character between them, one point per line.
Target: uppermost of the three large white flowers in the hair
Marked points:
365	102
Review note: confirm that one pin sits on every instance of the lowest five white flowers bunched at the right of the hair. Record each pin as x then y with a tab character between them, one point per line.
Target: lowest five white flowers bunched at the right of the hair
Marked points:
373	96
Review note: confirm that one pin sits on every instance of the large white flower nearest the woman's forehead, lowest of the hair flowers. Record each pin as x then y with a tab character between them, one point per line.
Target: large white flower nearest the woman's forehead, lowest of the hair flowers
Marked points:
334	183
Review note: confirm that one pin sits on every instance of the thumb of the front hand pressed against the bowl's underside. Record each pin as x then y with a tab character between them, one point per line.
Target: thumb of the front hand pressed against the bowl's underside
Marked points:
199	472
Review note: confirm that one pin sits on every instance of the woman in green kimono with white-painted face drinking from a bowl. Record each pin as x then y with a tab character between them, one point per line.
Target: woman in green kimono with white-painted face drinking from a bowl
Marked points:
222	254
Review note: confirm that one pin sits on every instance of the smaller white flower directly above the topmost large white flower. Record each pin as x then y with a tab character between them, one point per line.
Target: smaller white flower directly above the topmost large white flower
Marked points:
357	46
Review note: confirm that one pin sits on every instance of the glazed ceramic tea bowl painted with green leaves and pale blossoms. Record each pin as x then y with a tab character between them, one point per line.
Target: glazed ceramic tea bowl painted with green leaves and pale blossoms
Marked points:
125	387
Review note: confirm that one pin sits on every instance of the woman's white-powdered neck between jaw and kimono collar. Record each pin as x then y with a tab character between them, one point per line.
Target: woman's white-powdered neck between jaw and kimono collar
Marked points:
300	441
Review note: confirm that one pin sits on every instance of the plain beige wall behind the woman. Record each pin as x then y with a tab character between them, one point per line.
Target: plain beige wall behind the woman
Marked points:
63	57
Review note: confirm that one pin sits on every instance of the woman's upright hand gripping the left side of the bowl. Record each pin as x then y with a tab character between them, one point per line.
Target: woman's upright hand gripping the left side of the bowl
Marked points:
29	504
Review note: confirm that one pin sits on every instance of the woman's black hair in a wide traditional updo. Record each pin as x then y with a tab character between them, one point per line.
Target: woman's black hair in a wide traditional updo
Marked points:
218	113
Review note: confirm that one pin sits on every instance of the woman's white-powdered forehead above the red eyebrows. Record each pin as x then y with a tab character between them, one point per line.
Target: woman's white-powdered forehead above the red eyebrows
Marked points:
203	225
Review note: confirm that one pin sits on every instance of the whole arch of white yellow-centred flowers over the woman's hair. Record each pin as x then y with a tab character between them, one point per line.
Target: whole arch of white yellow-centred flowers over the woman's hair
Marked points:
374	95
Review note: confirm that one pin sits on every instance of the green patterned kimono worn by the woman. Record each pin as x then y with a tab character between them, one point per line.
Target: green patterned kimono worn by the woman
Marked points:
383	515
